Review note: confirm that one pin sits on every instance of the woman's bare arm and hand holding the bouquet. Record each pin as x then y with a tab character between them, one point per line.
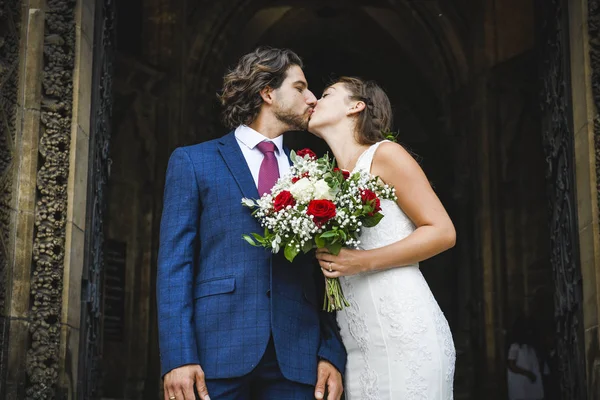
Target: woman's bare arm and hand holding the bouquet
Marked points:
434	231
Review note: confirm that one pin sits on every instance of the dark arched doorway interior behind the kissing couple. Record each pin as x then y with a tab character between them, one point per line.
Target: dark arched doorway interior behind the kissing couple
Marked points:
447	111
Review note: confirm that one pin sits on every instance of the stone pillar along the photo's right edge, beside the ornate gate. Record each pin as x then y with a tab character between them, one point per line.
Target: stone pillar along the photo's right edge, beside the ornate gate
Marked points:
584	25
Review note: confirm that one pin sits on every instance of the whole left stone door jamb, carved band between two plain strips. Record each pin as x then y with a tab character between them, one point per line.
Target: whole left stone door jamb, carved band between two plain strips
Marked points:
48	202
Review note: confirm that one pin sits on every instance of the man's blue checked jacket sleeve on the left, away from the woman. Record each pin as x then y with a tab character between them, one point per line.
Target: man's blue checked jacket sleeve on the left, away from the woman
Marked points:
178	243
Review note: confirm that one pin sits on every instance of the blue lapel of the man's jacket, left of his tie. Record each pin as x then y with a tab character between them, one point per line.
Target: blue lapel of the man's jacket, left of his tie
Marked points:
237	165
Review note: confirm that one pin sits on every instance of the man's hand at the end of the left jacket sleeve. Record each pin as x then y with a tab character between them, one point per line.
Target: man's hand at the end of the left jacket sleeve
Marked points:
179	383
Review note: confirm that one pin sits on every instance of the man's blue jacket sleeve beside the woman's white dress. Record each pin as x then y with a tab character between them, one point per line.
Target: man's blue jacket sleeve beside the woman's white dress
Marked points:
331	347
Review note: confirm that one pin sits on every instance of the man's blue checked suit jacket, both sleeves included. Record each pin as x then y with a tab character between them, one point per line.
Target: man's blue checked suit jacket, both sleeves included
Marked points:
219	298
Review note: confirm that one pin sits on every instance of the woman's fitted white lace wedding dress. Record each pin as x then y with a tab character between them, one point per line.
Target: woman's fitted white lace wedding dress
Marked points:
398	341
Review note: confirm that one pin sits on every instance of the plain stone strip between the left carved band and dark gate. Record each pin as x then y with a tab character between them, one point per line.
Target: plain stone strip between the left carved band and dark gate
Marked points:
77	190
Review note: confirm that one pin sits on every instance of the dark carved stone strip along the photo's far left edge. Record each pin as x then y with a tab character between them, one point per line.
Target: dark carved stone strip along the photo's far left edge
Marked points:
9	61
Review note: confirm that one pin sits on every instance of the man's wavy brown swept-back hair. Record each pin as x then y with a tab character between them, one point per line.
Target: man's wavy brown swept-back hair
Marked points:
240	96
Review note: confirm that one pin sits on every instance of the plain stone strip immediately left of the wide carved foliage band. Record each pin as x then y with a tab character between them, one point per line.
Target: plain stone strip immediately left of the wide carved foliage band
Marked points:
24	176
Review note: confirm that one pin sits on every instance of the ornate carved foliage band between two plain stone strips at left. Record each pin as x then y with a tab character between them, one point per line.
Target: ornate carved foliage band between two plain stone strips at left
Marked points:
50	217
